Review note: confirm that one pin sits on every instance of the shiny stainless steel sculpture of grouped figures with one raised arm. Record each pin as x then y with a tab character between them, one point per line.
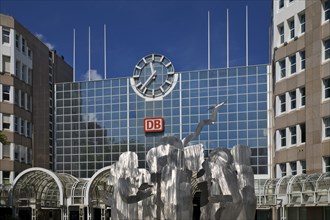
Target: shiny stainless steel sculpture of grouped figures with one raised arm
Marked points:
225	180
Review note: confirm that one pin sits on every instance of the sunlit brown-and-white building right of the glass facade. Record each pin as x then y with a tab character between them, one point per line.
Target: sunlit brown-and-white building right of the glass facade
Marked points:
301	105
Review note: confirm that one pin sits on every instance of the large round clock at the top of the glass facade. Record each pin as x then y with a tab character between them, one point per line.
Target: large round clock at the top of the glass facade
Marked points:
153	77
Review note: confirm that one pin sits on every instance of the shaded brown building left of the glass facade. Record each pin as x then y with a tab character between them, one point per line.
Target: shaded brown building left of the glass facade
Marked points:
28	72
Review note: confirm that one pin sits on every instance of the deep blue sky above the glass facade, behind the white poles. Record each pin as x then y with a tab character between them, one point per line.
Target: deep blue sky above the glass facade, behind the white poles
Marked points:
176	29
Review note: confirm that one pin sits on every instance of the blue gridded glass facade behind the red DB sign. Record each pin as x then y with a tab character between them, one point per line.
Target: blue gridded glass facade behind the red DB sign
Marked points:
98	120
